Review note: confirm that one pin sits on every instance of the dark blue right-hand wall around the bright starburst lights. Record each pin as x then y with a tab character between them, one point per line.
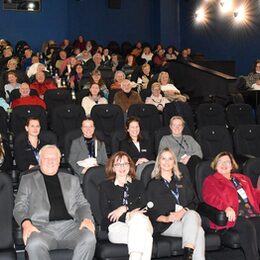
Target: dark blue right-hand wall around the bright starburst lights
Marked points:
221	39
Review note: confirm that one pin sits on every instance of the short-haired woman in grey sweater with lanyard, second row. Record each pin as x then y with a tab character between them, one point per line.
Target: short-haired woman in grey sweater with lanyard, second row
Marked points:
187	150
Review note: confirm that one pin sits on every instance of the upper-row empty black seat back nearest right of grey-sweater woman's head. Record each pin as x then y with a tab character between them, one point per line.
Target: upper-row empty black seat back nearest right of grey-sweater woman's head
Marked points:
210	114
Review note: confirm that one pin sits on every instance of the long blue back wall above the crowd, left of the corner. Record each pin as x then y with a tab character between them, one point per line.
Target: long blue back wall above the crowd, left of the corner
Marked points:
146	20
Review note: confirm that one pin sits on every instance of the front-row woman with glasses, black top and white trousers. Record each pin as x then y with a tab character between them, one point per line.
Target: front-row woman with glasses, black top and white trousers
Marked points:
121	199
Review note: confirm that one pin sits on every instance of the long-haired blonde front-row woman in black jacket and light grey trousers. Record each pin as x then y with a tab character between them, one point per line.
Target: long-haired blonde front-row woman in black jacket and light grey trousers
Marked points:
174	202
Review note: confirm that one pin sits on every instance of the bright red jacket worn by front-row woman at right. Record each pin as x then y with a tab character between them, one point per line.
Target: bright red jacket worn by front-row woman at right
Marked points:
220	193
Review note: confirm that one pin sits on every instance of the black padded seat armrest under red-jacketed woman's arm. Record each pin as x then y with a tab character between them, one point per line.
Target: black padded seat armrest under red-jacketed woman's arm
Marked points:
216	216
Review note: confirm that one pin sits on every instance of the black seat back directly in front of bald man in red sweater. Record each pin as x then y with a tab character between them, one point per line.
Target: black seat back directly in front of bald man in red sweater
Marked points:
20	114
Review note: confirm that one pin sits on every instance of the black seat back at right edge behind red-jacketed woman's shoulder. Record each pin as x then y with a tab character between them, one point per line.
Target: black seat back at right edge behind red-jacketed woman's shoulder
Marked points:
251	168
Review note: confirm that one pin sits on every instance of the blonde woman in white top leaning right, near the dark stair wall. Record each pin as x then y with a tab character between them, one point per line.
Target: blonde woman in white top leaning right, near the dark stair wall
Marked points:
169	90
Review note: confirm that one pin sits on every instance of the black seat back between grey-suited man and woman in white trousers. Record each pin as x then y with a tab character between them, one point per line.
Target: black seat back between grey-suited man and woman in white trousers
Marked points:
91	186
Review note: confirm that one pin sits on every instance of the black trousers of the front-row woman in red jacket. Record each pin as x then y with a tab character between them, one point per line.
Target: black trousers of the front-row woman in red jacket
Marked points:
249	233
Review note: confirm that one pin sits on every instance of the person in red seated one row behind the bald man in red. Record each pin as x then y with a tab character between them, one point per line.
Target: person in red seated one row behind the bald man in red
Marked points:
42	84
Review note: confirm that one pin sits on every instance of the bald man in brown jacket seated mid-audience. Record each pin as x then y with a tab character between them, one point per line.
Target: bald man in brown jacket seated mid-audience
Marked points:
126	96
